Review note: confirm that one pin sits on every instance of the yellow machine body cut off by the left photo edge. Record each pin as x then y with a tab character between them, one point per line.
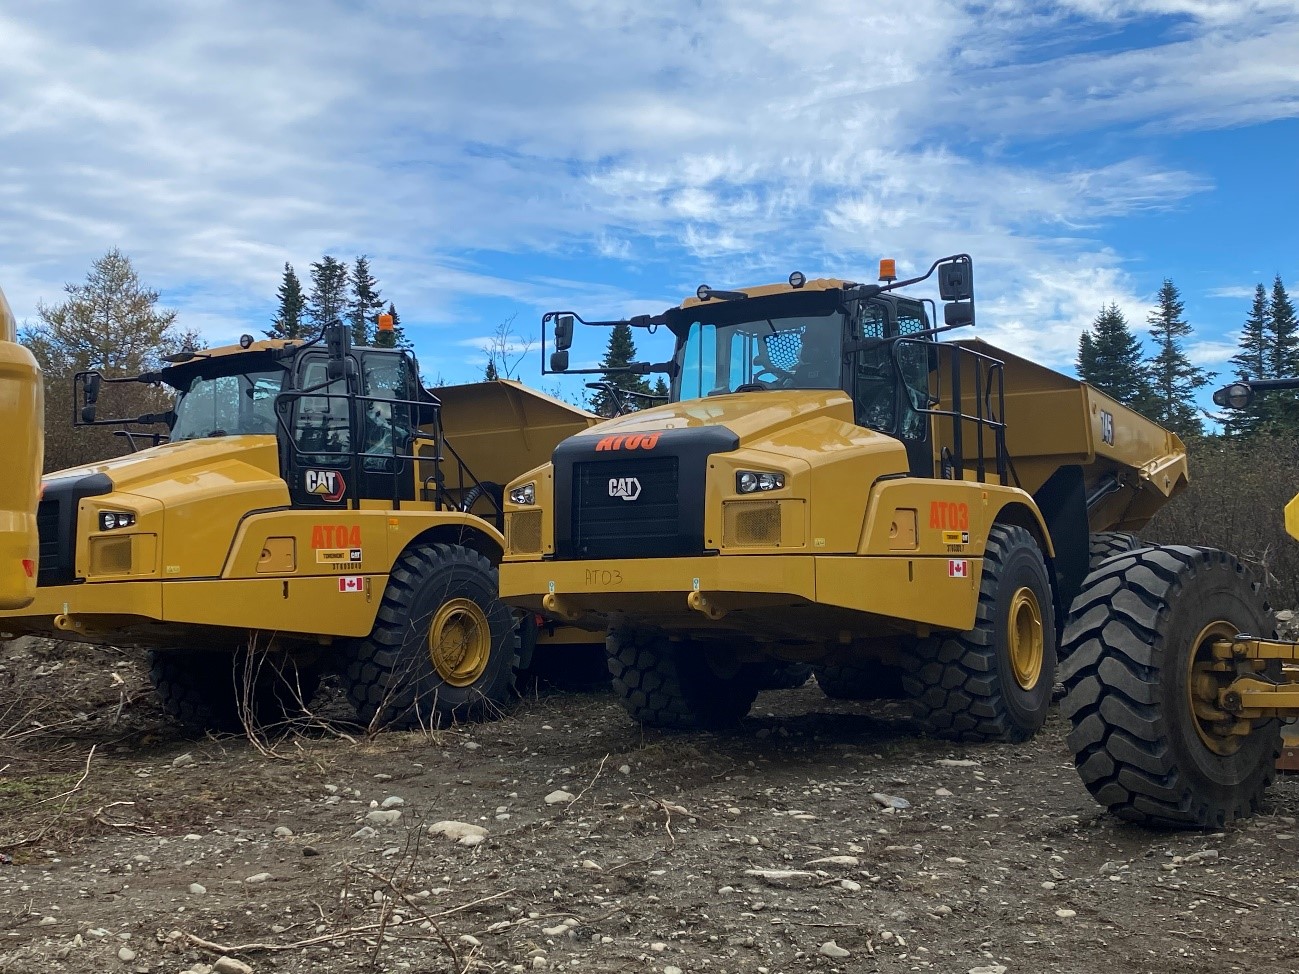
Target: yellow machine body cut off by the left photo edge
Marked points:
23	425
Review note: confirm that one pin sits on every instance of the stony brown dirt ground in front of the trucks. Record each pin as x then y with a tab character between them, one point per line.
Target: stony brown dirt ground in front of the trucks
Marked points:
132	847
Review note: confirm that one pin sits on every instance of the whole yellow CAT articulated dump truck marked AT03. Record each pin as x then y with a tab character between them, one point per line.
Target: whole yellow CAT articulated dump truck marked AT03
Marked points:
829	484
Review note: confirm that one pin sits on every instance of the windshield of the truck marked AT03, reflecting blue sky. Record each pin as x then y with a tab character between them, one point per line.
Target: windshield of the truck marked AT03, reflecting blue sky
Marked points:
790	353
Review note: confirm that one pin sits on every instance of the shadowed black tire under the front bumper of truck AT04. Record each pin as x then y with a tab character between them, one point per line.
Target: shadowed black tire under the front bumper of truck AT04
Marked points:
211	692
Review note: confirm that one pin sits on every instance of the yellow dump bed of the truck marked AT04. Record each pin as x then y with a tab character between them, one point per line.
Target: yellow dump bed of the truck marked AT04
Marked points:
502	429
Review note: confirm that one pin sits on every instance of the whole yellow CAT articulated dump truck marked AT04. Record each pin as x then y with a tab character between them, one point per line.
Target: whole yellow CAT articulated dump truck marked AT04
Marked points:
307	511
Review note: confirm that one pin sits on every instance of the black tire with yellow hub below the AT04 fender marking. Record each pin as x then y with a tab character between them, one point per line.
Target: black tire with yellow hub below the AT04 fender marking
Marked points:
390	676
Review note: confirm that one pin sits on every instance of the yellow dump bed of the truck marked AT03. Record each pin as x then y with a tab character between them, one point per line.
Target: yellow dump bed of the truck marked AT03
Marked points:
1131	466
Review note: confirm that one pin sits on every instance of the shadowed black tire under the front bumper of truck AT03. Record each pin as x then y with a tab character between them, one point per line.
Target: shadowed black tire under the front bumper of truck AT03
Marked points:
666	684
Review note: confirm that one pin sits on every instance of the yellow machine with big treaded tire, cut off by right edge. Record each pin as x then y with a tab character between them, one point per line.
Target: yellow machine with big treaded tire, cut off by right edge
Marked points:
1176	684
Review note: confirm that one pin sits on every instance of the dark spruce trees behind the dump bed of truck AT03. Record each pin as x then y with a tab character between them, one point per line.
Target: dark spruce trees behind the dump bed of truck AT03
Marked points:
1163	385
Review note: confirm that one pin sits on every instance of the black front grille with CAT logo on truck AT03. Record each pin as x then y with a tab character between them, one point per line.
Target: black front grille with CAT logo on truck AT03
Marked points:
629	508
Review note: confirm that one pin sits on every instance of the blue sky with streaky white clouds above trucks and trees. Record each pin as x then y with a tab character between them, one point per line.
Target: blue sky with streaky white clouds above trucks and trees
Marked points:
499	159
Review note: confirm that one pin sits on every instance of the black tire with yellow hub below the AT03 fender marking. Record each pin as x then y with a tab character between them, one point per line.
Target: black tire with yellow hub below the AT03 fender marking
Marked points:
965	685
